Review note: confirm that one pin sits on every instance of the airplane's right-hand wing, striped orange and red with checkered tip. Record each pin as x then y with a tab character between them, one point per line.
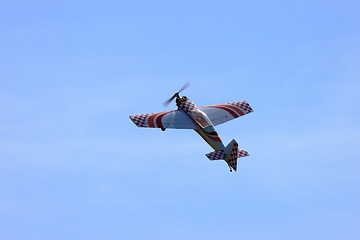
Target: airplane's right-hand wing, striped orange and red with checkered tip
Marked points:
225	112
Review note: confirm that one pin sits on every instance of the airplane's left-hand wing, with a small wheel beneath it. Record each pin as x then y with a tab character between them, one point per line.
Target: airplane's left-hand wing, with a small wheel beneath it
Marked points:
170	119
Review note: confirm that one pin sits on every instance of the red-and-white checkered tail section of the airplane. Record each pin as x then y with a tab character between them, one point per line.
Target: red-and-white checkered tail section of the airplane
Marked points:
230	154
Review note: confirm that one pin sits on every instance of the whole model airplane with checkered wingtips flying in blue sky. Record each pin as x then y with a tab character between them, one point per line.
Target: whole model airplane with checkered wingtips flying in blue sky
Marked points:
202	120
